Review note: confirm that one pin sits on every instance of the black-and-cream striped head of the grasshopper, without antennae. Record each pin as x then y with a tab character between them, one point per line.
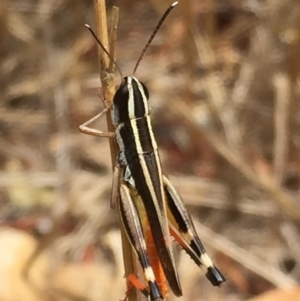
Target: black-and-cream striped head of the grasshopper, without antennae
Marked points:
130	101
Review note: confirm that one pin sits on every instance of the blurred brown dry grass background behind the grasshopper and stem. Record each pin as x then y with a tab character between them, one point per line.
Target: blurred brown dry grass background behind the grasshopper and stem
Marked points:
224	86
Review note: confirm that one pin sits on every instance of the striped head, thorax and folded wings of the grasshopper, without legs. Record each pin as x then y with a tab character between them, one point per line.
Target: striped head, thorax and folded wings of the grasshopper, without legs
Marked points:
142	168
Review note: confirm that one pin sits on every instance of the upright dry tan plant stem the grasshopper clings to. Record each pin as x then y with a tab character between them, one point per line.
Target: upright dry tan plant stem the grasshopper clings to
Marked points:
106	77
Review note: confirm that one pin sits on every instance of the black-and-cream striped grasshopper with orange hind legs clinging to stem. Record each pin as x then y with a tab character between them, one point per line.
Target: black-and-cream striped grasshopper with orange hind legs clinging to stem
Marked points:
150	207
